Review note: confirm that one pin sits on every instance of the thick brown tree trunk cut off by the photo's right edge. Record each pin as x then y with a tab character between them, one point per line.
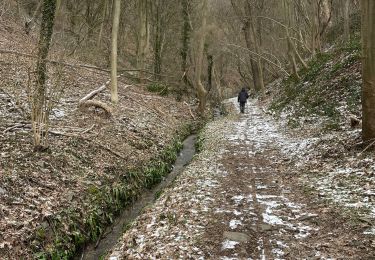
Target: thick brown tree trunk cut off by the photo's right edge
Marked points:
368	67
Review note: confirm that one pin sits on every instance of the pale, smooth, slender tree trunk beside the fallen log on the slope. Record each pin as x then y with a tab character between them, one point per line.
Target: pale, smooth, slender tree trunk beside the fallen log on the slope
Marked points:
115	26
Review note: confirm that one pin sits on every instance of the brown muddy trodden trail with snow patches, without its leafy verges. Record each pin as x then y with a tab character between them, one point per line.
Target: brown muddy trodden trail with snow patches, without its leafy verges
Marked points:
268	214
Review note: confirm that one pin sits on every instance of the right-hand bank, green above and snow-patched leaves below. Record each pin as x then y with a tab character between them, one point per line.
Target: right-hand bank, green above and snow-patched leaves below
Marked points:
323	107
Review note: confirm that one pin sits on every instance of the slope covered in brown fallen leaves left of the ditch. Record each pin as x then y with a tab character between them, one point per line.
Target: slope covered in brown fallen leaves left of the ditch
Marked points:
56	201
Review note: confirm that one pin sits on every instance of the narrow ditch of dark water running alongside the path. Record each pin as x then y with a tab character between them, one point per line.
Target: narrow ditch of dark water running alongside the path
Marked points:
113	233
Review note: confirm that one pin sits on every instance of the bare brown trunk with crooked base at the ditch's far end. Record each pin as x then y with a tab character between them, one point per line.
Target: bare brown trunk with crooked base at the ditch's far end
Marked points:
201	91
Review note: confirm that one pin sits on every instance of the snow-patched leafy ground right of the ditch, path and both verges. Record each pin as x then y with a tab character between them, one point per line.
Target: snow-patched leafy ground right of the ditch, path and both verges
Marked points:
260	191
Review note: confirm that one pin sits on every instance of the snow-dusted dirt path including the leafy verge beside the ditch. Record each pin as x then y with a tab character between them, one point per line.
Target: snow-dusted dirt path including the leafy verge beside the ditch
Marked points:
243	202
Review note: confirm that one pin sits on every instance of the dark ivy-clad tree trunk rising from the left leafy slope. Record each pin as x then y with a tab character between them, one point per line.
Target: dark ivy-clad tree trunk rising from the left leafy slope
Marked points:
39	113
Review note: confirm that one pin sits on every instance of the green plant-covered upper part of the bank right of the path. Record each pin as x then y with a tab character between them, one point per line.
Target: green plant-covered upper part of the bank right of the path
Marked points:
332	80
